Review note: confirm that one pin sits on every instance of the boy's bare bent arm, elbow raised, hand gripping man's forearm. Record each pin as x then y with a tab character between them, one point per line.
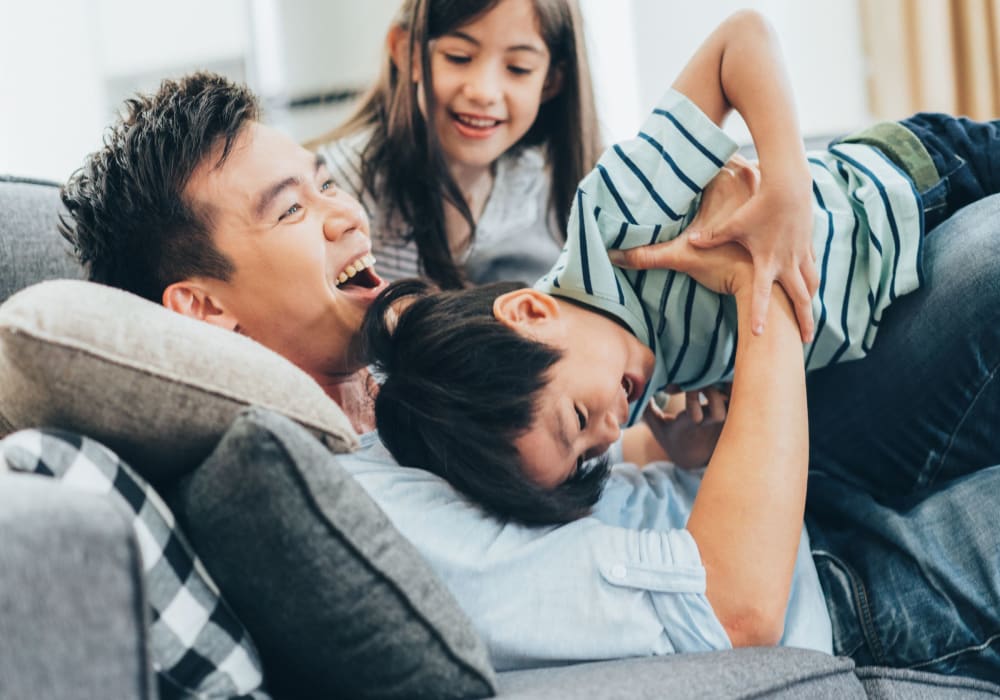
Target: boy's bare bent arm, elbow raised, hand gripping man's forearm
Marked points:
740	67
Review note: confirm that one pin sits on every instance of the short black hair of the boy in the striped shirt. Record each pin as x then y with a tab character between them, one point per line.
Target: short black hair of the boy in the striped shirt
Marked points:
459	388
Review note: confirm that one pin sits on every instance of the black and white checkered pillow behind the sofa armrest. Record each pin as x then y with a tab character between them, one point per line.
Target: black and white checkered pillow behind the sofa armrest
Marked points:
199	648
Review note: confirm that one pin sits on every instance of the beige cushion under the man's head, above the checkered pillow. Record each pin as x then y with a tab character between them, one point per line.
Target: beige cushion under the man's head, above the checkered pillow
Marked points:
156	387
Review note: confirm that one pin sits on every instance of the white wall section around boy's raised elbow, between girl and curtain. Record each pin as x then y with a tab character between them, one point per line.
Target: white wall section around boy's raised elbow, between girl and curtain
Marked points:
638	47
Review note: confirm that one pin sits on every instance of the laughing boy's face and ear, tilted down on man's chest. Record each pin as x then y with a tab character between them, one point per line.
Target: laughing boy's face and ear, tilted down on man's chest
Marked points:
581	410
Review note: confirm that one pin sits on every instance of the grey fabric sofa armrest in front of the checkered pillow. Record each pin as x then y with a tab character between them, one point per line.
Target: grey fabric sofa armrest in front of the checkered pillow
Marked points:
72	603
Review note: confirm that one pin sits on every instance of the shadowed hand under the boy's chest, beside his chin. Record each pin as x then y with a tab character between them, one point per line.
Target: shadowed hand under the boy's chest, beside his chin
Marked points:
689	443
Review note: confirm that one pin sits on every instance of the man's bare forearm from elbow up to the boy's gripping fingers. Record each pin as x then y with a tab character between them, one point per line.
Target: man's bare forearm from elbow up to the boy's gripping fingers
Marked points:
748	515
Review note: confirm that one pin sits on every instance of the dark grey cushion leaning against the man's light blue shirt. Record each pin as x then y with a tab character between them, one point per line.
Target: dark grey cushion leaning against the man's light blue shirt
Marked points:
338	602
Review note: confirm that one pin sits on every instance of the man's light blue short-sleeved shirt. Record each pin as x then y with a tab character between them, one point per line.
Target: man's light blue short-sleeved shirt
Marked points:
627	581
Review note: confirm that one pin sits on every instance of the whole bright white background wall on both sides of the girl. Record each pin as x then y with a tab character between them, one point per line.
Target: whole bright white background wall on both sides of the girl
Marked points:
66	64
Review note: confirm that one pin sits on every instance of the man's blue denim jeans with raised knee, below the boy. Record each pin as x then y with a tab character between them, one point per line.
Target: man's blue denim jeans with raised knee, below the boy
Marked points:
903	499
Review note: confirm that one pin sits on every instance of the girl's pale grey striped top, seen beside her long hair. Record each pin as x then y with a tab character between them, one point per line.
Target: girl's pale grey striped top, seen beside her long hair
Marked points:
517	235
